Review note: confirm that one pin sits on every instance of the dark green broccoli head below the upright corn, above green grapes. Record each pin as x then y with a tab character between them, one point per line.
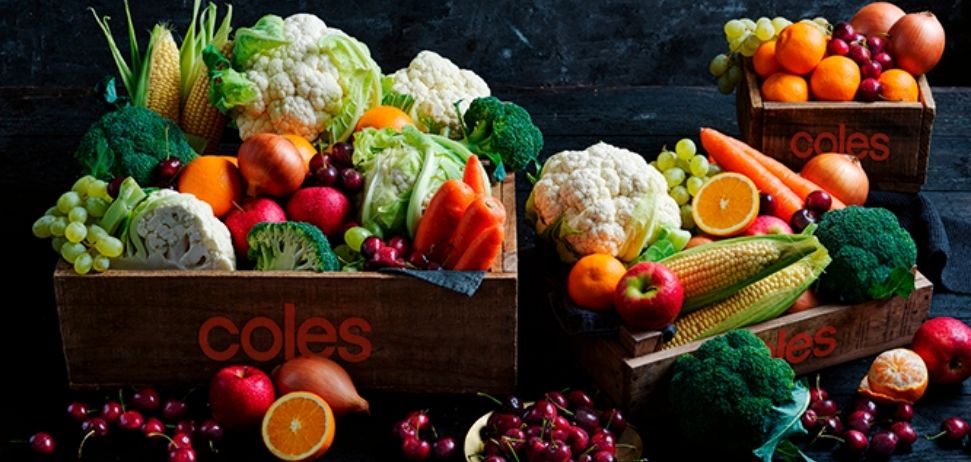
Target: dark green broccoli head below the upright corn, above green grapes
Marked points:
131	142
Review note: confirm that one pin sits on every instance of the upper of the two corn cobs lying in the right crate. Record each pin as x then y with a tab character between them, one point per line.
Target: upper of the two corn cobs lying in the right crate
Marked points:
713	272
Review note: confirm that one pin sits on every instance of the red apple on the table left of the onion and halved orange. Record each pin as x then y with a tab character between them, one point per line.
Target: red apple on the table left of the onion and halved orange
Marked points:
240	396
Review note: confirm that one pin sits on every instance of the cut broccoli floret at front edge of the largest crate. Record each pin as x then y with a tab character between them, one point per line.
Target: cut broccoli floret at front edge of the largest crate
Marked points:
290	246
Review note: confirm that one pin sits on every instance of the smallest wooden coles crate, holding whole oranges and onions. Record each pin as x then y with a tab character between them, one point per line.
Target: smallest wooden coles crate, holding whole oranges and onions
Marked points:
892	140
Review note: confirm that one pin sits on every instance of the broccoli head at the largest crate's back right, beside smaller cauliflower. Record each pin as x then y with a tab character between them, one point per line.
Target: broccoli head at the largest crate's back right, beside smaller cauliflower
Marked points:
503	132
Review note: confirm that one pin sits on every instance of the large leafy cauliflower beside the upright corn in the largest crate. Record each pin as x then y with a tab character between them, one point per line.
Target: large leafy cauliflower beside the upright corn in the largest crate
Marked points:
296	76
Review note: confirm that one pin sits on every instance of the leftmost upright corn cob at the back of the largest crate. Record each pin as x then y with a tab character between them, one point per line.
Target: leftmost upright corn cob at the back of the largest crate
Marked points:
162	85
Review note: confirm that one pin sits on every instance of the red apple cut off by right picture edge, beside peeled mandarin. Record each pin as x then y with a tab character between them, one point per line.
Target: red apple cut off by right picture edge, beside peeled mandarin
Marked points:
945	345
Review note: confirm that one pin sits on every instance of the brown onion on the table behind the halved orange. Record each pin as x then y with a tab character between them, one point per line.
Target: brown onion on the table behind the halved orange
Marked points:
322	377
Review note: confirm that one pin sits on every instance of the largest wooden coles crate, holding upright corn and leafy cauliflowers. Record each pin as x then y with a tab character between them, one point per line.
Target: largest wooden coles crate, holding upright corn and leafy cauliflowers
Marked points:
392	332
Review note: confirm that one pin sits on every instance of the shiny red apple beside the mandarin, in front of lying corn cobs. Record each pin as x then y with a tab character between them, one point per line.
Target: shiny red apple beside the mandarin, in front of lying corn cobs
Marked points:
649	296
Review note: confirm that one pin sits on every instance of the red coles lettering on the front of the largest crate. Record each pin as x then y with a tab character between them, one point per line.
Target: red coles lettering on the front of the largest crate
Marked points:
221	338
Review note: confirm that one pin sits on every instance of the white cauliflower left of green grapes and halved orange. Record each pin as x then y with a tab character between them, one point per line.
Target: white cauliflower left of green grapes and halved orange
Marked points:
603	199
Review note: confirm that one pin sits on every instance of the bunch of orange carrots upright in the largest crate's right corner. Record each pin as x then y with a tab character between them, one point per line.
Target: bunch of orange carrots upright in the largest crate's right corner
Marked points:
463	227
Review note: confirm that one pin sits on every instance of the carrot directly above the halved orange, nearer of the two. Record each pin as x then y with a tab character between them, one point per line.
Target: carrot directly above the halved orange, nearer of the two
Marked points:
729	157
